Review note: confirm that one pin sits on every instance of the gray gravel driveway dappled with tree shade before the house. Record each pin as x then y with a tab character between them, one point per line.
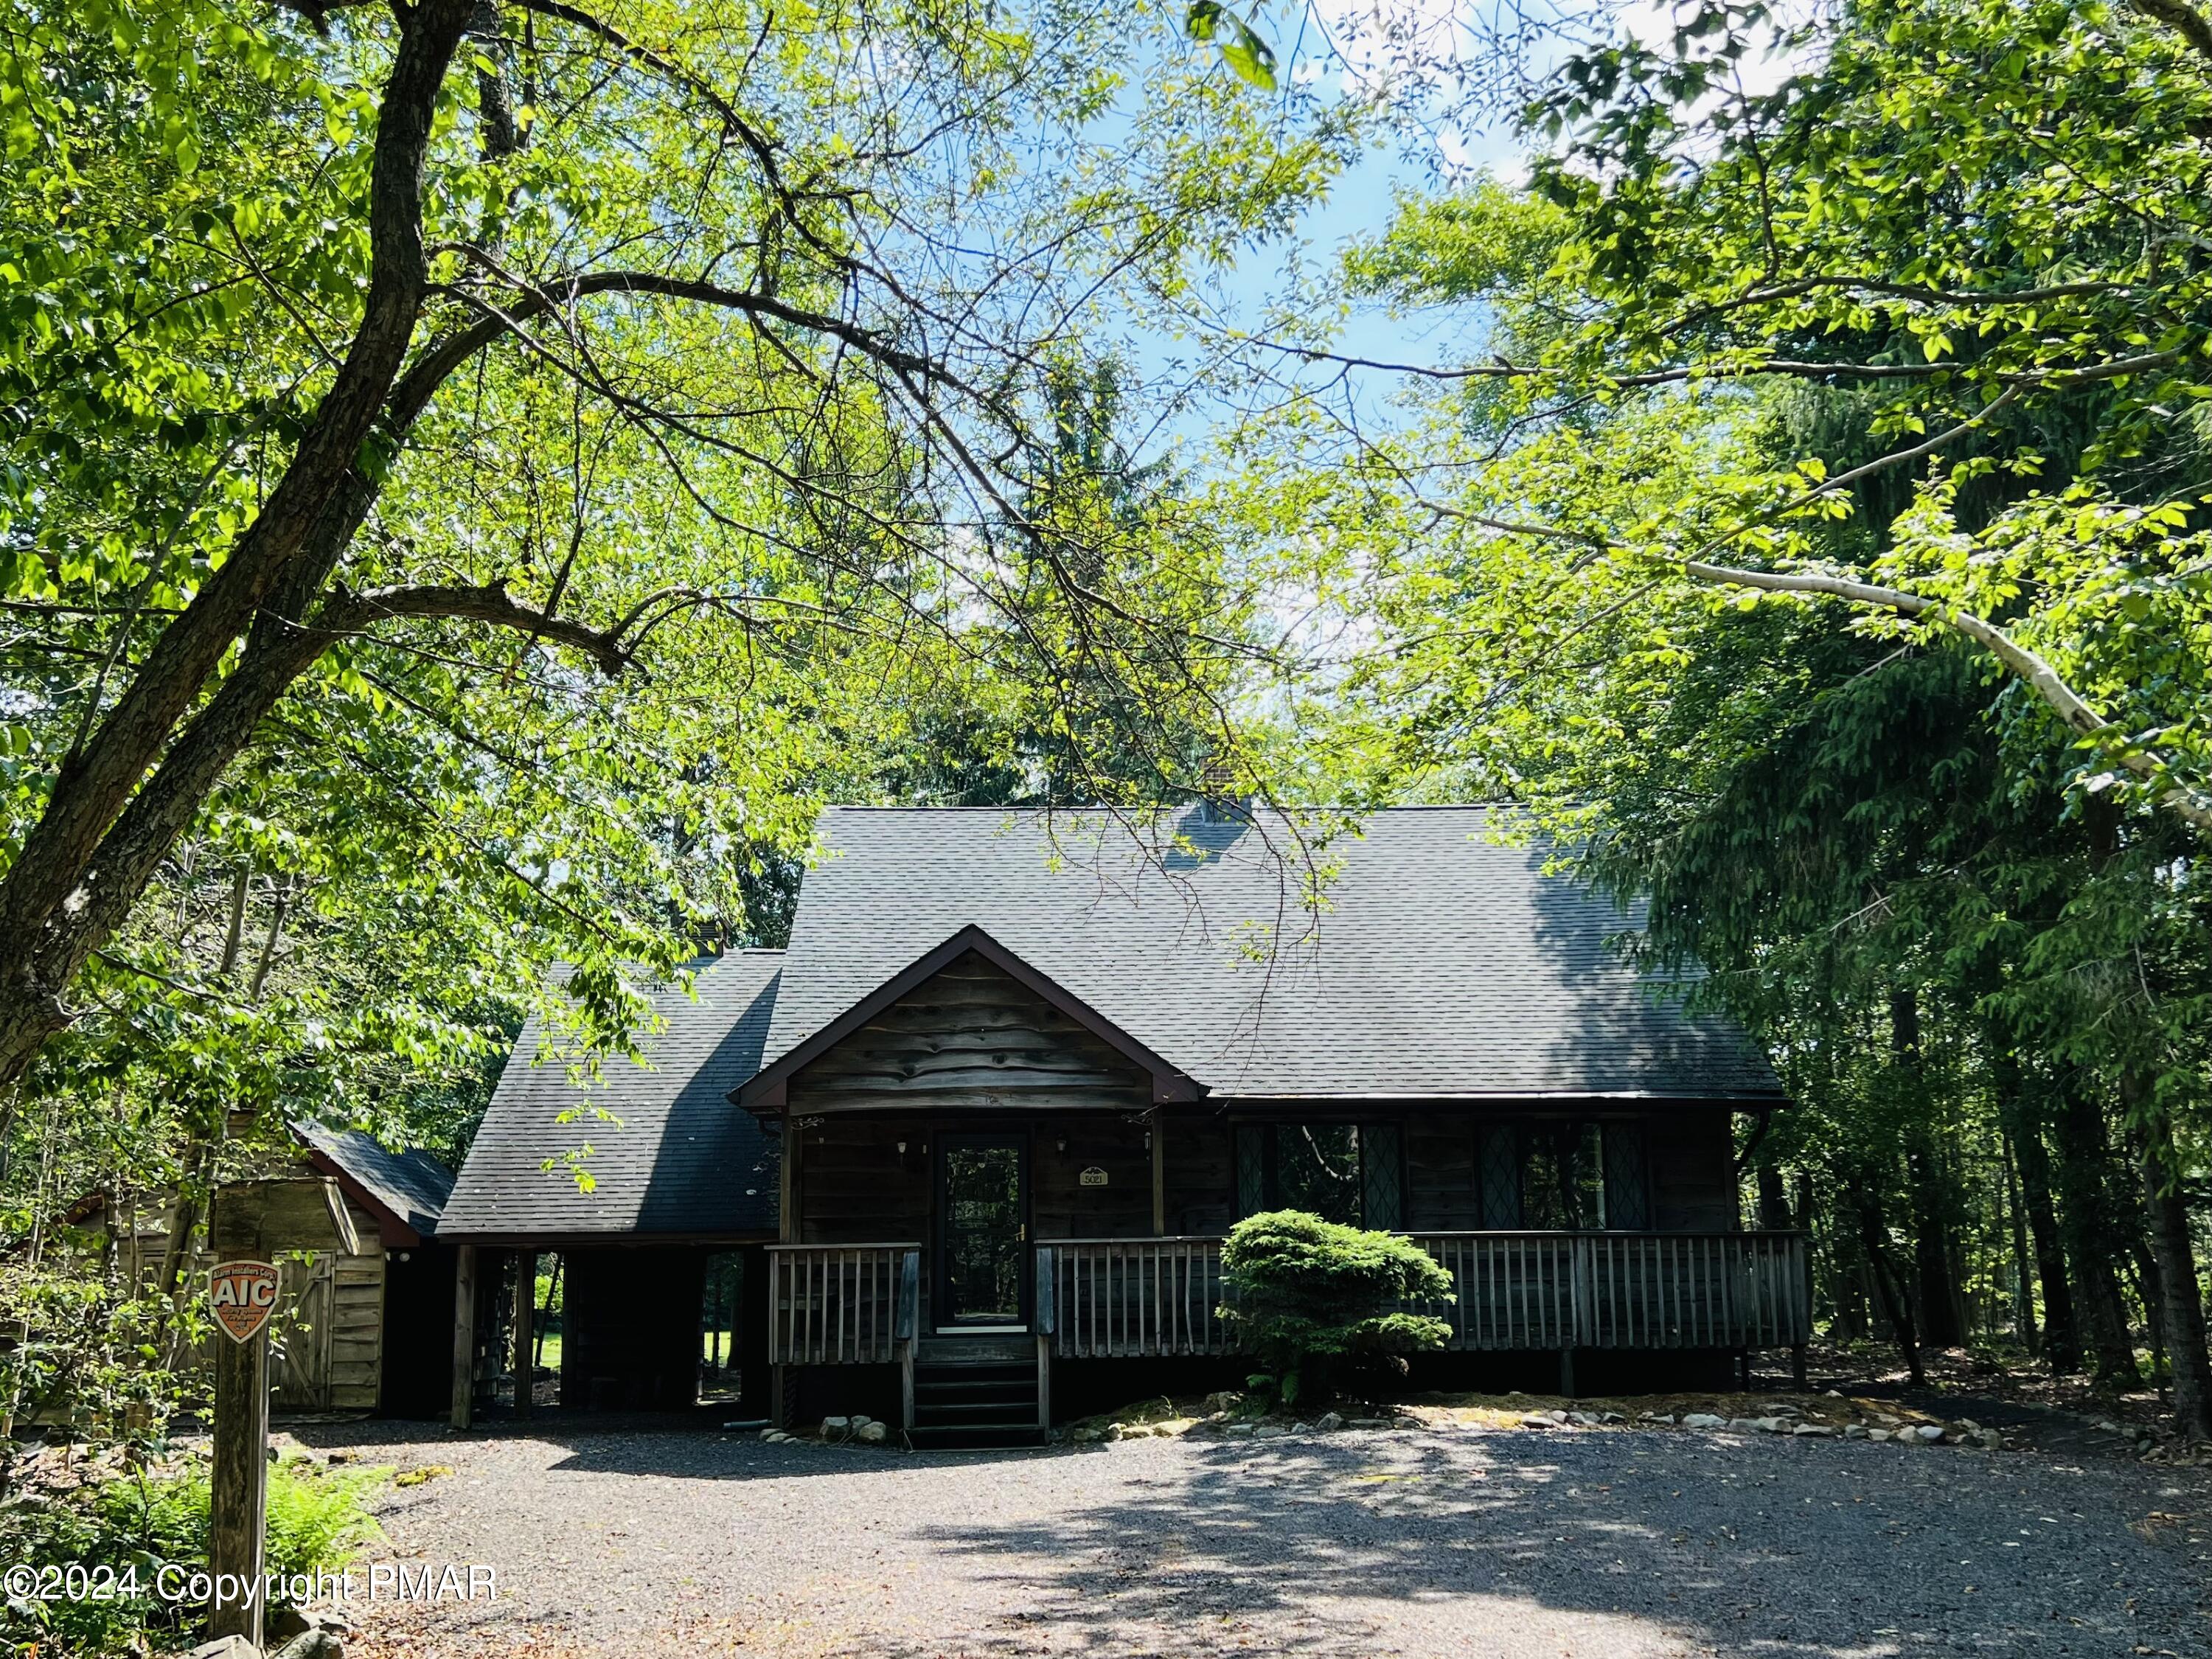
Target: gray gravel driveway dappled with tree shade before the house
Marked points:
1574	1545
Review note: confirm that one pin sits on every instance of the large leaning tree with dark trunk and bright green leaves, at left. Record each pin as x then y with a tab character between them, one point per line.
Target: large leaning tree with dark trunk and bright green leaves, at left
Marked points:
342	346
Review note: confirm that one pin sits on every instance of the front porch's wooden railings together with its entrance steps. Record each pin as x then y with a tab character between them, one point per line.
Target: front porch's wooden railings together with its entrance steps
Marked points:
1160	1300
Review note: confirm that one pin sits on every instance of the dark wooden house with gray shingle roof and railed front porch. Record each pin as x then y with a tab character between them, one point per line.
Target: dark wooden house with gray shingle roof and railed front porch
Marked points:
981	1129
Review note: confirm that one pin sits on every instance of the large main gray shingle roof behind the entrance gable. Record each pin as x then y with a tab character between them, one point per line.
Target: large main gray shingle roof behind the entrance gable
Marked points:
1443	966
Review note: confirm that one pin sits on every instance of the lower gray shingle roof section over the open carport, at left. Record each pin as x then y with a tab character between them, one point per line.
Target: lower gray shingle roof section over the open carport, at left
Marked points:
682	1162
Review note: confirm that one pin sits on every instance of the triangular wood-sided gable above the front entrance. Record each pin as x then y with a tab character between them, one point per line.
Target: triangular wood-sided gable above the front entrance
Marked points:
977	1041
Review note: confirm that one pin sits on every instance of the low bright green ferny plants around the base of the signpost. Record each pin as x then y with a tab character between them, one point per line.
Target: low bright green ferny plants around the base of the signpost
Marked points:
317	1521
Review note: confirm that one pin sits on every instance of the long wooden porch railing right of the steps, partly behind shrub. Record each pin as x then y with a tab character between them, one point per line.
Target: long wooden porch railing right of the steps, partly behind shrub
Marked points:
1514	1291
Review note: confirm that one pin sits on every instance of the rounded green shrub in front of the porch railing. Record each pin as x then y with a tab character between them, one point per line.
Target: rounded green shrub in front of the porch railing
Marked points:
1306	1293
